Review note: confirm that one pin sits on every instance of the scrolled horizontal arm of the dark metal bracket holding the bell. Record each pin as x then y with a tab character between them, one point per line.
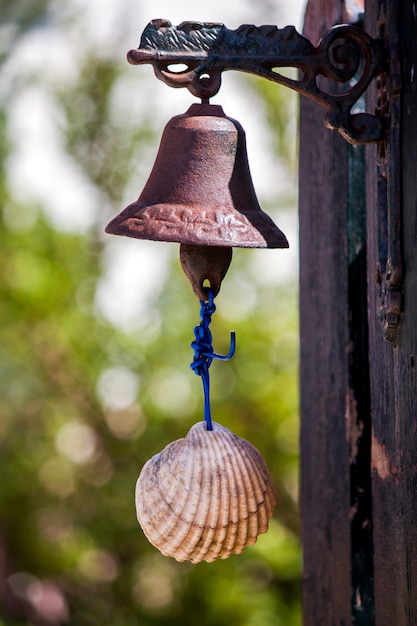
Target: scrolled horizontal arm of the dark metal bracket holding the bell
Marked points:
345	55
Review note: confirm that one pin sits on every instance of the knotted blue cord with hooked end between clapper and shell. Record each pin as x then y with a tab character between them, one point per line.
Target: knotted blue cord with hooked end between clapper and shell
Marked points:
204	353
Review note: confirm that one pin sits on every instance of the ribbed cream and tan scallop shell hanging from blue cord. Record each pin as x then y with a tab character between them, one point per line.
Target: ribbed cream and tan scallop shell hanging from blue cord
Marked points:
205	496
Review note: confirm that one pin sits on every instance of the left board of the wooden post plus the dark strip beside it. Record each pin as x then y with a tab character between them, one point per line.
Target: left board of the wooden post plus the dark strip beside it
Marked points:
335	400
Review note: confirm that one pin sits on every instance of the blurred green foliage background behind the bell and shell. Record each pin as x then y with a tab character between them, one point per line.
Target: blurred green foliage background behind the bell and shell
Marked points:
84	404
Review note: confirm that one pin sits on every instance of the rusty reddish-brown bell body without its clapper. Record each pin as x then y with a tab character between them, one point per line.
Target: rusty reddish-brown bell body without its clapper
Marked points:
200	190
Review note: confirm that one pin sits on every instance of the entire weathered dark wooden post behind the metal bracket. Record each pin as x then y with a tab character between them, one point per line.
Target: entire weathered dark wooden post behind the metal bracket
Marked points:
358	391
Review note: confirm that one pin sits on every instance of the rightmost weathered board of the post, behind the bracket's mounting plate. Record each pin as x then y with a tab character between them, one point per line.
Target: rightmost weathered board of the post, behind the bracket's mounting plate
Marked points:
393	370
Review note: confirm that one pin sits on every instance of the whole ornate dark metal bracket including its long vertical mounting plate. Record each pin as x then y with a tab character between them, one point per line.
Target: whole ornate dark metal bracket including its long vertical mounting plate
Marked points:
335	74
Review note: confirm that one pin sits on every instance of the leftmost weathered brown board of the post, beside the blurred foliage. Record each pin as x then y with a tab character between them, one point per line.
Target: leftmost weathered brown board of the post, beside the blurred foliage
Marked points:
324	374
